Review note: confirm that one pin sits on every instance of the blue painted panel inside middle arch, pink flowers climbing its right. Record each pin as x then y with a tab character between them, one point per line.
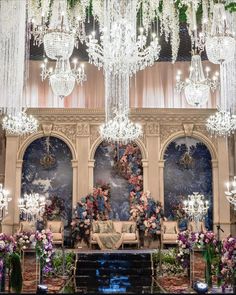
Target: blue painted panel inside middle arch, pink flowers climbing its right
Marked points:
121	167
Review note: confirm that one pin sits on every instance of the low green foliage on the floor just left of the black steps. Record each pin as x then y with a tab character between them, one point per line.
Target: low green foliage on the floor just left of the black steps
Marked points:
57	263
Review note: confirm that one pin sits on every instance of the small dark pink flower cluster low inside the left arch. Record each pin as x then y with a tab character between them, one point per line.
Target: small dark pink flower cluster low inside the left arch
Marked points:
54	208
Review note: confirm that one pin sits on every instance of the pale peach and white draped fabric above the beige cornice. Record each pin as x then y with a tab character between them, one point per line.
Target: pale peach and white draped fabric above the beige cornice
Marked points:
153	87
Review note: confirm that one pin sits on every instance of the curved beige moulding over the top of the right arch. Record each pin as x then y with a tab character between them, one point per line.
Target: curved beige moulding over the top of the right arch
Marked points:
196	135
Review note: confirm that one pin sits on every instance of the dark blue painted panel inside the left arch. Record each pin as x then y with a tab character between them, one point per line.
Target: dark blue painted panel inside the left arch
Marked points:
47	170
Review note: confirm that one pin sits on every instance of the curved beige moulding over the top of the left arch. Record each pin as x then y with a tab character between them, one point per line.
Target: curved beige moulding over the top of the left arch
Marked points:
39	134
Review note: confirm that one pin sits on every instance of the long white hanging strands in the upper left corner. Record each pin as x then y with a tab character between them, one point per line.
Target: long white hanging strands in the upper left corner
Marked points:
12	44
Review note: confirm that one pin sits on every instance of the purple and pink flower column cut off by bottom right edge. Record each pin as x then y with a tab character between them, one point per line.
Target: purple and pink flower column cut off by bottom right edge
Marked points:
228	260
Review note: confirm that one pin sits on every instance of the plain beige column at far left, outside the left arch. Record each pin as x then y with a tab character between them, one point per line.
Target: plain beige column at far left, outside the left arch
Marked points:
10	182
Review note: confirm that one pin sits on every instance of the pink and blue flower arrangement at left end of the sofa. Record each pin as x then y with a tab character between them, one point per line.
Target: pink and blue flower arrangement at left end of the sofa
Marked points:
94	206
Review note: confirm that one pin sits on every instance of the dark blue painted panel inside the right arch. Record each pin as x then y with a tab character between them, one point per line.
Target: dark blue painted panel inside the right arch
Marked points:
184	175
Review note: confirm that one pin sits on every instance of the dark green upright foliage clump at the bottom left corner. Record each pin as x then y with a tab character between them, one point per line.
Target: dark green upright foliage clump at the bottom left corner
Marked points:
16	279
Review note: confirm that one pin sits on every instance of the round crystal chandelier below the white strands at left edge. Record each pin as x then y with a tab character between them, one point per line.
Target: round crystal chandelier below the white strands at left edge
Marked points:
20	124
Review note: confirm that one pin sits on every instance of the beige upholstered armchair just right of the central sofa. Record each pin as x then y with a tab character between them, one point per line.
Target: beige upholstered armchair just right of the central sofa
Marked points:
169	232
